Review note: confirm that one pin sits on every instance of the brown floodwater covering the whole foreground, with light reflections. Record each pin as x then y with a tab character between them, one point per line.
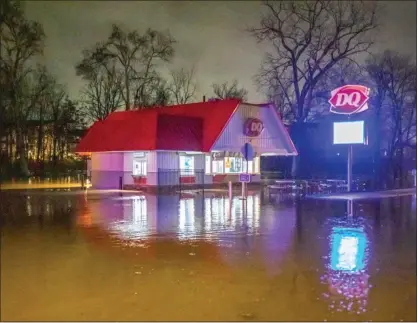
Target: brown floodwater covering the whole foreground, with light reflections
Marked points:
70	255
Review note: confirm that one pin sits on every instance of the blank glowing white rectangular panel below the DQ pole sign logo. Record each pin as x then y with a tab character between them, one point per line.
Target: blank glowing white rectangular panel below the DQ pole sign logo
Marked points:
350	132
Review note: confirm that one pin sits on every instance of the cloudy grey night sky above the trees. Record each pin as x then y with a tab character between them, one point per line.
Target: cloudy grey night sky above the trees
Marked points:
210	35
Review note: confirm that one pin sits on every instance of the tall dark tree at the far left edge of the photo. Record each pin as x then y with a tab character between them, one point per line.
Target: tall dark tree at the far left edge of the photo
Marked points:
21	40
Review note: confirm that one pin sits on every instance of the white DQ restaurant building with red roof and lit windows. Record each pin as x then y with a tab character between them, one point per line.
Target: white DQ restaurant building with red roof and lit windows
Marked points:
196	144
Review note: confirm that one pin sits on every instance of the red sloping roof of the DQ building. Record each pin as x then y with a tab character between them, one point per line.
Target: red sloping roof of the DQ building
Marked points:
190	127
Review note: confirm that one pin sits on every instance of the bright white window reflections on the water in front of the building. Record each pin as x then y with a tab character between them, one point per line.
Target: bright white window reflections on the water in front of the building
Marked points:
144	216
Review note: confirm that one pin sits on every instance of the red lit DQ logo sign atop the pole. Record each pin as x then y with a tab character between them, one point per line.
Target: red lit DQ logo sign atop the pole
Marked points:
349	99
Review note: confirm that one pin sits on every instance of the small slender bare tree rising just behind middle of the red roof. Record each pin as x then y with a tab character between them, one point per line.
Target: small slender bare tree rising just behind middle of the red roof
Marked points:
183	86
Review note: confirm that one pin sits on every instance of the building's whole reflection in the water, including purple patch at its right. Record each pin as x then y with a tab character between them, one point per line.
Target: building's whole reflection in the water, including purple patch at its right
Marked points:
229	225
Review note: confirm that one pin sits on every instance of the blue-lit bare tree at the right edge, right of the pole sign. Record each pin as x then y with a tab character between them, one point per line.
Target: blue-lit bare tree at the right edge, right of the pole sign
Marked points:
395	75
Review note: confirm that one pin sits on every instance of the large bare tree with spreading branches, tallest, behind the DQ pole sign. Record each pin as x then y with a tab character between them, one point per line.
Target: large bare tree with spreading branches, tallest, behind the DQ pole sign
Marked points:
307	39
